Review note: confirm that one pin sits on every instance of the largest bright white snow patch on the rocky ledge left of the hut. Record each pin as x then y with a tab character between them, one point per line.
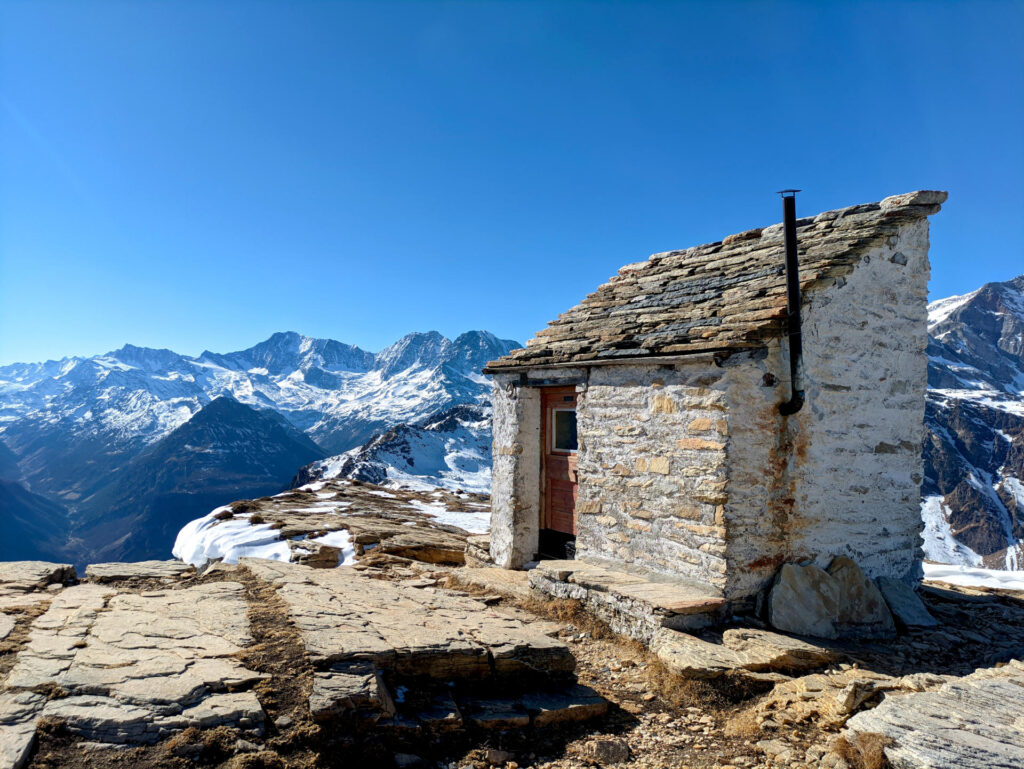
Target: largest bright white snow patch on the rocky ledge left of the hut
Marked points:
207	539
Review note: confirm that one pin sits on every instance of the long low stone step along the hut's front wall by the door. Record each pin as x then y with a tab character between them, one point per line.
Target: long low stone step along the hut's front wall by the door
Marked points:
633	605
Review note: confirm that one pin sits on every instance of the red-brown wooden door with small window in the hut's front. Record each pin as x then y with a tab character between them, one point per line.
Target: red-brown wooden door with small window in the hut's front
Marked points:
560	464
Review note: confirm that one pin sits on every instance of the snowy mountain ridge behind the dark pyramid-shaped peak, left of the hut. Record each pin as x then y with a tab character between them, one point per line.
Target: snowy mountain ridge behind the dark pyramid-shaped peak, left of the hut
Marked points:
143	394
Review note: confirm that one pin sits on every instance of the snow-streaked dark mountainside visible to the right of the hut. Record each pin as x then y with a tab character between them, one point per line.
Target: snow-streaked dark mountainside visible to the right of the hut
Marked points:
973	496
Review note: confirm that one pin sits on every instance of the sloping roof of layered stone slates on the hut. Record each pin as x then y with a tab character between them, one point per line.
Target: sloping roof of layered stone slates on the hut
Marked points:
721	296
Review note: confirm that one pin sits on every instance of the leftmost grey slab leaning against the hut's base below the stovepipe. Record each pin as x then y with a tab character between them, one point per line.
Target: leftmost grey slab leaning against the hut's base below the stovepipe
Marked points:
804	602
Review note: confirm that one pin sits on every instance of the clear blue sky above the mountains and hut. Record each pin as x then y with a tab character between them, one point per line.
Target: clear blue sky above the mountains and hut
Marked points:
201	175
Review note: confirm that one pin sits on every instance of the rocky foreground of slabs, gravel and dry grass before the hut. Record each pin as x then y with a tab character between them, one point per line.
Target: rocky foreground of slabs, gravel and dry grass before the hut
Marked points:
396	662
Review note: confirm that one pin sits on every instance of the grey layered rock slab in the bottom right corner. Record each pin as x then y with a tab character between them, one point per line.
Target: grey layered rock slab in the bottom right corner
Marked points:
975	722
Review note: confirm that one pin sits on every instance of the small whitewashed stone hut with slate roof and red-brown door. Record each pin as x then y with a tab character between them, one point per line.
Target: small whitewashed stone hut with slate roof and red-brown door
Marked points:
642	432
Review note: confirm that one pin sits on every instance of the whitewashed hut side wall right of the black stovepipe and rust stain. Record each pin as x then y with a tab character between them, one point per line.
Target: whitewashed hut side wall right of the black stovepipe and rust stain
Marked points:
866	372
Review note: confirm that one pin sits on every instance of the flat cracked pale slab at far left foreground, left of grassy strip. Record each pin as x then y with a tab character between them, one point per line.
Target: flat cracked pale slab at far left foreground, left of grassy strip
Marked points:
133	668
